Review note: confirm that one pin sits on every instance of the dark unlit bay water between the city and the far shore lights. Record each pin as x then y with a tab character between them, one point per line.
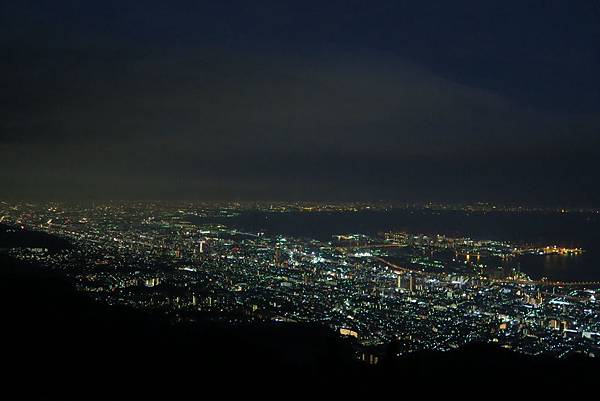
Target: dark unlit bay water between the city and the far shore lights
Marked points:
534	228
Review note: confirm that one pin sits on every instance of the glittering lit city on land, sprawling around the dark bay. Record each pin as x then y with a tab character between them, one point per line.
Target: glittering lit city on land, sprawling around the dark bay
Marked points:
424	291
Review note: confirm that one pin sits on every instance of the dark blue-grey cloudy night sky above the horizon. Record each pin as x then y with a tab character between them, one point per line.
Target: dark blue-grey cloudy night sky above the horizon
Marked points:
274	100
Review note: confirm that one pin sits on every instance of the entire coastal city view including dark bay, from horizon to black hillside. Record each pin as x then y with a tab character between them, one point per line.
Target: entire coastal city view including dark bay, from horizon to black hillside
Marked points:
424	279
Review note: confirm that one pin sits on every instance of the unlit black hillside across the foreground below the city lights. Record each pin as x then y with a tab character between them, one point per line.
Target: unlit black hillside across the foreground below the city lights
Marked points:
59	343
